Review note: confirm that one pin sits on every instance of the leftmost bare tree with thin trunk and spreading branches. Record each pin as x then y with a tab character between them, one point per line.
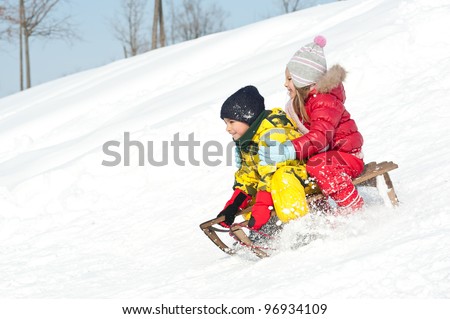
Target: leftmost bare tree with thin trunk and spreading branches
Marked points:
37	18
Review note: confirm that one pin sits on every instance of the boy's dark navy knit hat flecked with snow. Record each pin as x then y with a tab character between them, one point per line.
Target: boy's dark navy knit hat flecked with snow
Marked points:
245	105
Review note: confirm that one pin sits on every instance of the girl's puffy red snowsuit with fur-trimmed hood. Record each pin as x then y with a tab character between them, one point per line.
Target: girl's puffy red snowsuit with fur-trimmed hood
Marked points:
333	143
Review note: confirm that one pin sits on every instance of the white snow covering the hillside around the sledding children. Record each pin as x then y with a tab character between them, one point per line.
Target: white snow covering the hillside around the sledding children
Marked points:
71	227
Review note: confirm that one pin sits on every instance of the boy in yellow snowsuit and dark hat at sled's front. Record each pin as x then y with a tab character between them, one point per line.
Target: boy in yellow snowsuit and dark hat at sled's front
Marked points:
281	185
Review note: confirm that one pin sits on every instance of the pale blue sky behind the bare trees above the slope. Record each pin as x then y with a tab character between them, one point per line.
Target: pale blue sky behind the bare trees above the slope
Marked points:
56	58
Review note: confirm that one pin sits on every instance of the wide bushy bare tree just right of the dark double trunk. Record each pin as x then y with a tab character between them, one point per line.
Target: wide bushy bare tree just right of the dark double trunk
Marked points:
193	20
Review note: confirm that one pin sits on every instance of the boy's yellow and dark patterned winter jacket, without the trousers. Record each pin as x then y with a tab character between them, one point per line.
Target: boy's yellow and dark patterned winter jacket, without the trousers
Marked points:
271	125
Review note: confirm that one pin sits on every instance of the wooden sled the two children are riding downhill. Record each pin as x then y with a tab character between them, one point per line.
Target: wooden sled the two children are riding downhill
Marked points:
369	176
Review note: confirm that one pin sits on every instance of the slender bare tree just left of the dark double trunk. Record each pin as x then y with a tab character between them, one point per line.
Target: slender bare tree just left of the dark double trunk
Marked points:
129	27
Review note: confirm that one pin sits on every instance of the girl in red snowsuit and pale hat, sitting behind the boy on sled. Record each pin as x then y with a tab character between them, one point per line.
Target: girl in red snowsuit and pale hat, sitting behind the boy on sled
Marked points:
331	142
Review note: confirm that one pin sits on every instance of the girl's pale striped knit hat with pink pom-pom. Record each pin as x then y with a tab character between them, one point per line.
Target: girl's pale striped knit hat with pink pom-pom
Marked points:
308	64
